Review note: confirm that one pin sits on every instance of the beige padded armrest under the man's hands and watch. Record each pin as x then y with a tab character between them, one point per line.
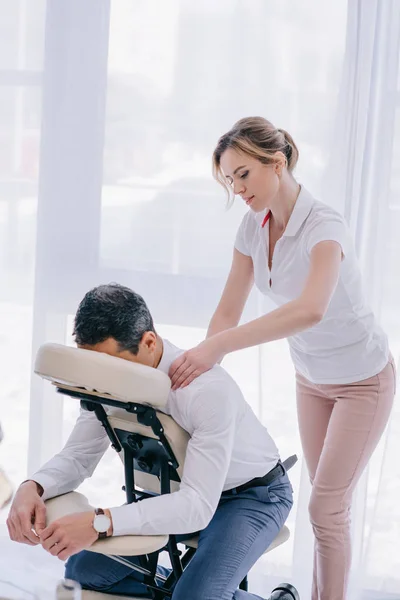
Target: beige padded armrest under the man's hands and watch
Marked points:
124	545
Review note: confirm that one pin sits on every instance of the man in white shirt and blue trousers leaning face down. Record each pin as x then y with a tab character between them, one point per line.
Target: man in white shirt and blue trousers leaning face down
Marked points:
238	518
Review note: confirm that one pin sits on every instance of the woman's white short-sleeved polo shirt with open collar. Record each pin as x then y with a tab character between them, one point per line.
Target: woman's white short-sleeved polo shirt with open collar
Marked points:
347	345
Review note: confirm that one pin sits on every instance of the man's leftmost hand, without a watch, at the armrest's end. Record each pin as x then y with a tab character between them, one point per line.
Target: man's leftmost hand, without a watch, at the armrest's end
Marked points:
27	512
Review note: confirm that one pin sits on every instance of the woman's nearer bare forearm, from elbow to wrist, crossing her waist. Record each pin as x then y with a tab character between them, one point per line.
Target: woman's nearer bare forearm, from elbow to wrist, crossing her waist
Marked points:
283	322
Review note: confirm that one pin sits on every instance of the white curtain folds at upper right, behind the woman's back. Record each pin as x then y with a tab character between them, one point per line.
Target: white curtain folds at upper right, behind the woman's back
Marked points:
362	159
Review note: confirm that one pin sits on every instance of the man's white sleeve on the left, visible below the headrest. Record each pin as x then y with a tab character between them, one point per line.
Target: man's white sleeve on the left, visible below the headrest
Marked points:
77	460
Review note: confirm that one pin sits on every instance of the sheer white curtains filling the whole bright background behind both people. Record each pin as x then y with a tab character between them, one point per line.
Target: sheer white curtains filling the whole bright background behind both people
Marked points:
113	108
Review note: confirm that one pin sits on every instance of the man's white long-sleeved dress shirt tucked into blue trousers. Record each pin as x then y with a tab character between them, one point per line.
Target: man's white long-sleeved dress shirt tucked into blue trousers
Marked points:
228	447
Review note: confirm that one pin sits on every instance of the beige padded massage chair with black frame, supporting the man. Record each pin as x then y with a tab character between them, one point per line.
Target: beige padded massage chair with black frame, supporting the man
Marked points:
152	447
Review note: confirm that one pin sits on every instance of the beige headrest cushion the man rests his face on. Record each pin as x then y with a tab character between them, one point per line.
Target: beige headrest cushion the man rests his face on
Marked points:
129	382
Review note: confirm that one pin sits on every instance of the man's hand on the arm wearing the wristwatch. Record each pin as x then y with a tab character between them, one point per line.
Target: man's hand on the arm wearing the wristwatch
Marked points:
69	535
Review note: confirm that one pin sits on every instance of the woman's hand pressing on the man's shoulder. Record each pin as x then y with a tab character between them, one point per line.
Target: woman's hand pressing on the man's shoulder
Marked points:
194	362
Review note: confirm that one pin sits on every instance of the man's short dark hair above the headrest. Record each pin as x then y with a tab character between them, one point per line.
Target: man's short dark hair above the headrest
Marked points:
112	311
